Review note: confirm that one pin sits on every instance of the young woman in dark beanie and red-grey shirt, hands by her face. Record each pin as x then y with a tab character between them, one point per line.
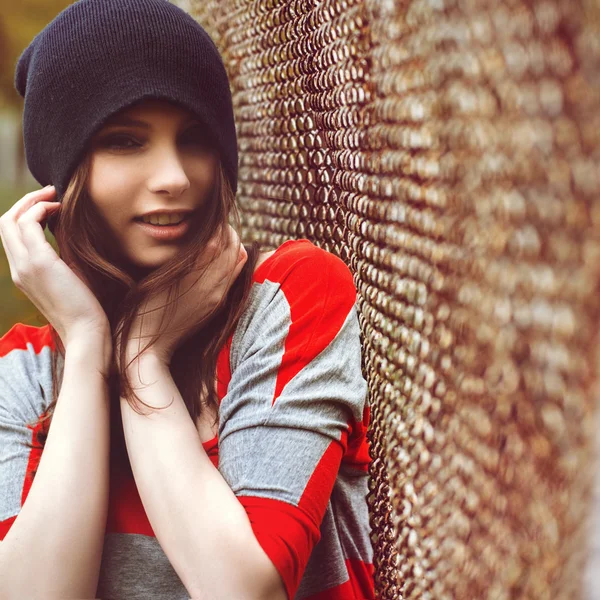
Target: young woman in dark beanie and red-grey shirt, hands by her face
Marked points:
192	421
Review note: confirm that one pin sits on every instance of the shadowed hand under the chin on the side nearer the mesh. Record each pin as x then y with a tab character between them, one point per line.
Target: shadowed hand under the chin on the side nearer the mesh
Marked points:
222	261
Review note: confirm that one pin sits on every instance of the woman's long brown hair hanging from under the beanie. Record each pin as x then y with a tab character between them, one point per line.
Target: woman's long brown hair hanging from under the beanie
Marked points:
85	247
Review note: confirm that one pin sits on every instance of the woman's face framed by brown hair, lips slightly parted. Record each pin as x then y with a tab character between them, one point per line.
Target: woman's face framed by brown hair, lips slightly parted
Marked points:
162	162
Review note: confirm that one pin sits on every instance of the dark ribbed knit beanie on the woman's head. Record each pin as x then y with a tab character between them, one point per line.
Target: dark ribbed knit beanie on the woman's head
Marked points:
100	56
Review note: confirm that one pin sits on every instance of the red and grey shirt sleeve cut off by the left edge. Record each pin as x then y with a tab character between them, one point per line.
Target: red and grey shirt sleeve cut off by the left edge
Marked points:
25	385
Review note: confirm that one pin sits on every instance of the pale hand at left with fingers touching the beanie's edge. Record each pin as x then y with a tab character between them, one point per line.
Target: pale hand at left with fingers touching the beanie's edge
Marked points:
36	269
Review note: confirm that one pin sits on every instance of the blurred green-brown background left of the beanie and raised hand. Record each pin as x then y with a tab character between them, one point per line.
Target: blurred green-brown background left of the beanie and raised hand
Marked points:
20	22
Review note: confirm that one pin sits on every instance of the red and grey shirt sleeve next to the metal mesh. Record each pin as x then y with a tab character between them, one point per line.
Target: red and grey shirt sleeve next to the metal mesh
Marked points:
296	388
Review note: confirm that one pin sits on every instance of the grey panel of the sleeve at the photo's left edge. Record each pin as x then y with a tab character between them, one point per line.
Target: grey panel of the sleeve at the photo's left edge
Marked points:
25	392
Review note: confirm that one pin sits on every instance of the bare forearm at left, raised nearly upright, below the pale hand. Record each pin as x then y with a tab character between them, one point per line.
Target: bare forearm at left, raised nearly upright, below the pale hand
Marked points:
54	547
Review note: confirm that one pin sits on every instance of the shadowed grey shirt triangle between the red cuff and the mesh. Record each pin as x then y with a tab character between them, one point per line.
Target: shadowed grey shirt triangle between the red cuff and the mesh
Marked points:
326	567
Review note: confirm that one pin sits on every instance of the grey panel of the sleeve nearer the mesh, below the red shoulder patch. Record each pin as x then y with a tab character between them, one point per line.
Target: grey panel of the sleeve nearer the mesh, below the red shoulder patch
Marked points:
272	450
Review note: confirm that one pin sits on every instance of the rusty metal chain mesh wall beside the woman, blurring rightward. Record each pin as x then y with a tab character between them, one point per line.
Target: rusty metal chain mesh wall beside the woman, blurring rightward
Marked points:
448	151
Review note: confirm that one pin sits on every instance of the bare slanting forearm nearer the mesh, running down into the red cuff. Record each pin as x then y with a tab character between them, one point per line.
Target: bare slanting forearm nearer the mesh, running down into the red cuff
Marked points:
196	517
